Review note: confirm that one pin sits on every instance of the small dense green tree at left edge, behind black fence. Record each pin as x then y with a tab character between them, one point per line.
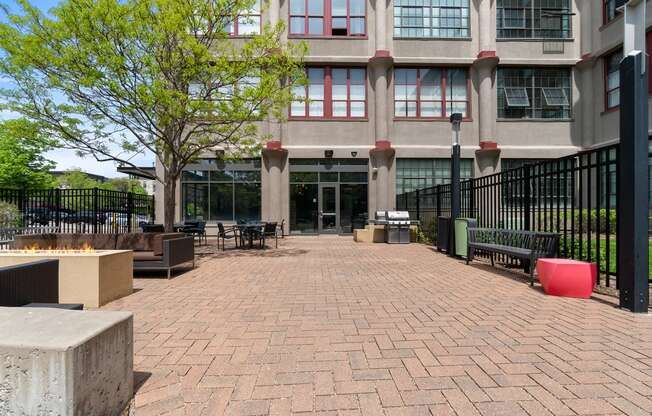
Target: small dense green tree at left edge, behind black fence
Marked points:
22	161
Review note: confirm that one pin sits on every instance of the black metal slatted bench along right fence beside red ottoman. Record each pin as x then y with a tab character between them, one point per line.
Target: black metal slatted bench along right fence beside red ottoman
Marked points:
527	246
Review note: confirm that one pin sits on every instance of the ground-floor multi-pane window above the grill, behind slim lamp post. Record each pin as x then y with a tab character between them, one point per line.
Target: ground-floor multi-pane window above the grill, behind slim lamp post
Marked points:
413	174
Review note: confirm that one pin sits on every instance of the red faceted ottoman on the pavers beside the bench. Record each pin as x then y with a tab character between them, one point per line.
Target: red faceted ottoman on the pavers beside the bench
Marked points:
568	278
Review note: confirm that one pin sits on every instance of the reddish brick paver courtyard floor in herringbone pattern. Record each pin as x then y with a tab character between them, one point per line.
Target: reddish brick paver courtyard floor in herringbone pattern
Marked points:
324	325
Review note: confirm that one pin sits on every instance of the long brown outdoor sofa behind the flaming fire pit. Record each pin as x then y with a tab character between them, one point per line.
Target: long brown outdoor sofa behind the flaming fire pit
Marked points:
152	251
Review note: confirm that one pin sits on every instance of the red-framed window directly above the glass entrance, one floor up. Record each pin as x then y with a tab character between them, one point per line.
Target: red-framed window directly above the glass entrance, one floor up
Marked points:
331	93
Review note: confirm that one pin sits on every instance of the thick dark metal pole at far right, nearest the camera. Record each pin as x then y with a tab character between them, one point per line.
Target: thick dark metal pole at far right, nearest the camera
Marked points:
632	216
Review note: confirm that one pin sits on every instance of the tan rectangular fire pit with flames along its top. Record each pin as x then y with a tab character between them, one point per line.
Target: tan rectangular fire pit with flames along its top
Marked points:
88	276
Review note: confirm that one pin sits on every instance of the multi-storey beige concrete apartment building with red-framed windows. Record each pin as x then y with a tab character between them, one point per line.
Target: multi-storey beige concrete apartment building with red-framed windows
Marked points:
534	79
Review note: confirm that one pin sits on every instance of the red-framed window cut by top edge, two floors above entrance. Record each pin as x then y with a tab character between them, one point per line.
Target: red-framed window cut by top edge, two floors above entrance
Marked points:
327	17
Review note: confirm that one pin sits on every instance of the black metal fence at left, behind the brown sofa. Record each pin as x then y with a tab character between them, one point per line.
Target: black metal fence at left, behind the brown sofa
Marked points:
74	210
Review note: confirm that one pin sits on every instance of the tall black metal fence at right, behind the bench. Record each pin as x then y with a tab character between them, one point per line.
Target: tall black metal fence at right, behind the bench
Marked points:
575	196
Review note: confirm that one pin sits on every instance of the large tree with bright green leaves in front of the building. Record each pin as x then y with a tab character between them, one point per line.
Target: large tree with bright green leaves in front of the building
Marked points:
113	78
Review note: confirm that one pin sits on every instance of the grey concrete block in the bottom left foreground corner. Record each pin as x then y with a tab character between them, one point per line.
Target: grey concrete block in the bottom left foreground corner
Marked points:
60	362
